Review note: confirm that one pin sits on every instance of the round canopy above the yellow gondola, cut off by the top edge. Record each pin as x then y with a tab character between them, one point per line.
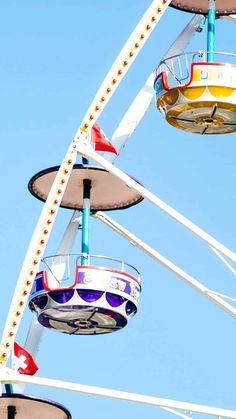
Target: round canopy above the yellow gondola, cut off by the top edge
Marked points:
223	7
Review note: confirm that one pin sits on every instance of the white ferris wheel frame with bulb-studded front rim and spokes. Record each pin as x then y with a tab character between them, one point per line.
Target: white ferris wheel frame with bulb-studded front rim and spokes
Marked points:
81	145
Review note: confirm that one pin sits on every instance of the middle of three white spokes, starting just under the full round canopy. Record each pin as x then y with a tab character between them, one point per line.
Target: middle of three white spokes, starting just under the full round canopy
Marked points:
216	298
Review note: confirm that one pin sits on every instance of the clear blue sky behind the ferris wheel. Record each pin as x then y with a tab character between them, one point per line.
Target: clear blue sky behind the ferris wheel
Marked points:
54	56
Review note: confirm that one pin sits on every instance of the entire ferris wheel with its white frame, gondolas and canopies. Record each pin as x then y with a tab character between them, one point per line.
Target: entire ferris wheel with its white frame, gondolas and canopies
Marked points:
87	294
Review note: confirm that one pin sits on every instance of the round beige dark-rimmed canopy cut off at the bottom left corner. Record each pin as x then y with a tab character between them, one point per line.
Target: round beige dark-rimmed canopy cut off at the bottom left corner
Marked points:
24	407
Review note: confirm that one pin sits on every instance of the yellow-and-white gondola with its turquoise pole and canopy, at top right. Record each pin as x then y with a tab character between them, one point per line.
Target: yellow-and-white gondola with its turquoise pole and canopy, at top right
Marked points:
196	91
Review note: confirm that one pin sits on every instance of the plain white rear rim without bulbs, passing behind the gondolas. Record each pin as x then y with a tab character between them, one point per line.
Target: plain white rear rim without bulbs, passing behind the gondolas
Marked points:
124	131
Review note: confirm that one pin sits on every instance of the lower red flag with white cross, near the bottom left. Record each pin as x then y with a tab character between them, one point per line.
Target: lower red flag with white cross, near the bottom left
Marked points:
23	361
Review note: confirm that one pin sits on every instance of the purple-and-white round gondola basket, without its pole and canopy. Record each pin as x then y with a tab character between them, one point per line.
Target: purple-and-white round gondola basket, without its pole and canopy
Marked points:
101	299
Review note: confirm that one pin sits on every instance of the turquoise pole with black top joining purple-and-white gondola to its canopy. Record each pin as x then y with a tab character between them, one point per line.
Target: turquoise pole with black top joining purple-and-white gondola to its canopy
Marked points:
85	221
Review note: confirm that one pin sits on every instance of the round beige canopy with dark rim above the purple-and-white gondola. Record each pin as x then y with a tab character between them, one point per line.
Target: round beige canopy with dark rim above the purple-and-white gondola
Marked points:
107	191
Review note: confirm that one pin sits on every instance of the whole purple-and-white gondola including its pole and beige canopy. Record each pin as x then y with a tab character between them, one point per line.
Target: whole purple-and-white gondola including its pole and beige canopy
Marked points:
101	298
